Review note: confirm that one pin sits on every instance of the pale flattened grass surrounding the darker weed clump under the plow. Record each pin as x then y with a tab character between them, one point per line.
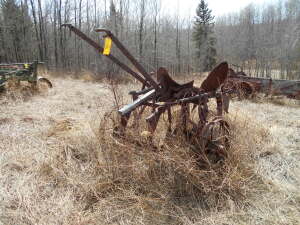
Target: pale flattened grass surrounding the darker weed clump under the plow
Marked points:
31	129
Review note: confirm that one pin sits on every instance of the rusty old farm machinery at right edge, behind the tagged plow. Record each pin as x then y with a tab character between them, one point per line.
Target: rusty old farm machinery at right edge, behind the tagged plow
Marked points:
248	86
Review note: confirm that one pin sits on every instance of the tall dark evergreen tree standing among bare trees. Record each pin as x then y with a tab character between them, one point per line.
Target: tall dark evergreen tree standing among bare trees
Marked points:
203	37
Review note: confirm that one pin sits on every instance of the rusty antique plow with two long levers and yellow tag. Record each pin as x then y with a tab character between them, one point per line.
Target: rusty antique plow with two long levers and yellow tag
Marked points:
162	94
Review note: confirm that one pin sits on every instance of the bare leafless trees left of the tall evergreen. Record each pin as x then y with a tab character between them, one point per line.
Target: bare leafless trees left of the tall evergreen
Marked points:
31	29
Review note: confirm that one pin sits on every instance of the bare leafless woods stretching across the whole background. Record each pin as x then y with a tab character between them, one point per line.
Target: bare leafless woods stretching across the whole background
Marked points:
263	41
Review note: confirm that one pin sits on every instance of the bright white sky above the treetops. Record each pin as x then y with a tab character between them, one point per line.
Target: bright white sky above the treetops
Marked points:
218	7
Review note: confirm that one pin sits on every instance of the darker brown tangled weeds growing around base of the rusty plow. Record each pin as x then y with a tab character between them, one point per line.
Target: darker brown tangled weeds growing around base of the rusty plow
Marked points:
174	169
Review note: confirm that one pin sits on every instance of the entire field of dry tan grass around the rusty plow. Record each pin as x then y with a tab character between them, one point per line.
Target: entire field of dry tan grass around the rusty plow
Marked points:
59	164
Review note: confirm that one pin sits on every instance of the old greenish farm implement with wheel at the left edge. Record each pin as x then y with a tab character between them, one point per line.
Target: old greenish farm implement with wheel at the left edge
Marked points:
22	72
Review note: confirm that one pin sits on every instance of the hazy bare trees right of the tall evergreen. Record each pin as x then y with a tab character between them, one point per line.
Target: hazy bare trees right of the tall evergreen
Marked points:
264	41
